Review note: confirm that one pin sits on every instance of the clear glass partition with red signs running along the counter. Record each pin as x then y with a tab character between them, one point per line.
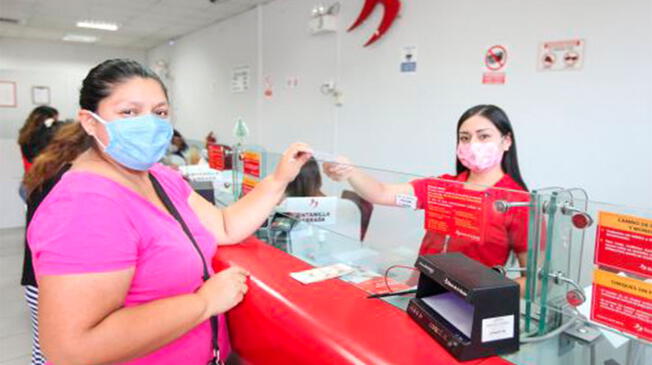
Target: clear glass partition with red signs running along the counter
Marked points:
545	239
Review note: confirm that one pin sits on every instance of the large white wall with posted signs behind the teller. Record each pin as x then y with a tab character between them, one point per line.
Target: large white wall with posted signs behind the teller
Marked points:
588	128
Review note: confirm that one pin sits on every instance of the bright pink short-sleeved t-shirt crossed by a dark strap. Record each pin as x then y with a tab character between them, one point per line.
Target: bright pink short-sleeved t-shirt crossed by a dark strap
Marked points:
89	223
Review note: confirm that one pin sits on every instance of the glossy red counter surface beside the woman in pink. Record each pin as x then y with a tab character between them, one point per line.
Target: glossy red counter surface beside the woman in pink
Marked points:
282	321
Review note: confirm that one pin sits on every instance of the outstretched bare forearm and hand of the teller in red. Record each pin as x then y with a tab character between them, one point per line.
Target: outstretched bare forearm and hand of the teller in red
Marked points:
367	186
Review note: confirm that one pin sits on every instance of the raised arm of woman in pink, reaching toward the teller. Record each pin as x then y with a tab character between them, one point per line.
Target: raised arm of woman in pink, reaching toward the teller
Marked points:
239	220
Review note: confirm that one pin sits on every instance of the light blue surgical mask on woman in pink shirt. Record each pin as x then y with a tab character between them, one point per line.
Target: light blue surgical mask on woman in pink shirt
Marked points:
137	143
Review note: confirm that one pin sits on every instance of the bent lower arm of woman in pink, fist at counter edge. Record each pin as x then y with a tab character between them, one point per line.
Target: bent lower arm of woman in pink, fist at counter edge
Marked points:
82	319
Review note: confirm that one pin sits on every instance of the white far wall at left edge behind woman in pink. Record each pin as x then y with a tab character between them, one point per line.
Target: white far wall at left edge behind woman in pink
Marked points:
62	67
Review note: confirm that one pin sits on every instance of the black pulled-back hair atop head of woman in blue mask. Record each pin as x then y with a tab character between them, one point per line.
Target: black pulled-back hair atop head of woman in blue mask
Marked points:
100	80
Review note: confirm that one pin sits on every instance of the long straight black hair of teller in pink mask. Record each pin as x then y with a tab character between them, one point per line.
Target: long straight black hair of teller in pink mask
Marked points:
499	118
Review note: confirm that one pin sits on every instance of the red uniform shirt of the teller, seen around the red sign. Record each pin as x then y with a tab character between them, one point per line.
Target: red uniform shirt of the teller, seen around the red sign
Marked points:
503	231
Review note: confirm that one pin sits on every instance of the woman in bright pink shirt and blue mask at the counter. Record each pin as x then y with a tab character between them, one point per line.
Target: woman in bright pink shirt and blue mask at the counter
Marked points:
121	279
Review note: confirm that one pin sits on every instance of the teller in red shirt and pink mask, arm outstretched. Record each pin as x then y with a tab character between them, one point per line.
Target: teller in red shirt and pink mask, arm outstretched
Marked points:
485	157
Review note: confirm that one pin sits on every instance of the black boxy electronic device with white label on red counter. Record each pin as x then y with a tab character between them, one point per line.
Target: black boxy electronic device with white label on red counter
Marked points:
467	307
